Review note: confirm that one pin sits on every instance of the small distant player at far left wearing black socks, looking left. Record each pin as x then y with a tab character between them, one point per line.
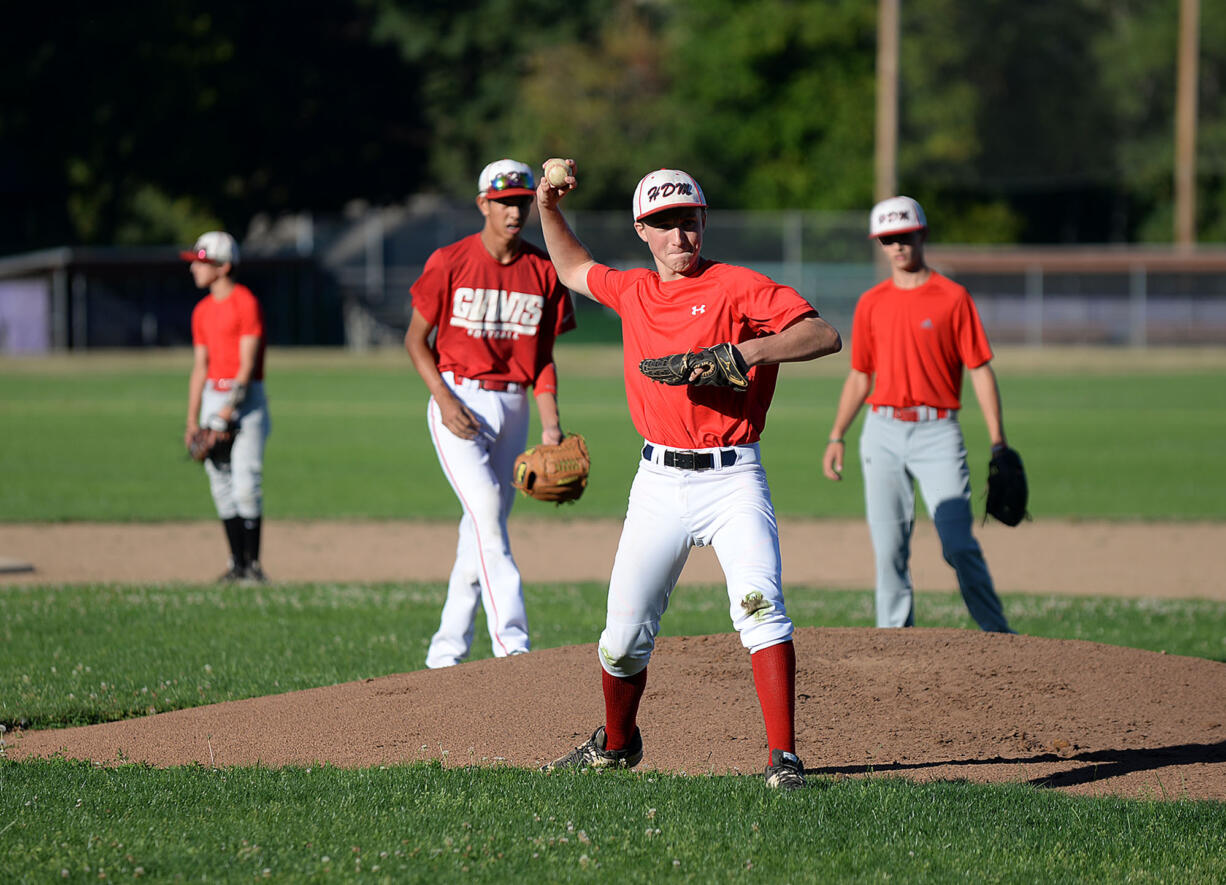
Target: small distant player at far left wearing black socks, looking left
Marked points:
226	389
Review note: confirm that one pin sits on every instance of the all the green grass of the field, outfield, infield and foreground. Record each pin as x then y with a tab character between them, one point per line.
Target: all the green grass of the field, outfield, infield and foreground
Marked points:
1114	436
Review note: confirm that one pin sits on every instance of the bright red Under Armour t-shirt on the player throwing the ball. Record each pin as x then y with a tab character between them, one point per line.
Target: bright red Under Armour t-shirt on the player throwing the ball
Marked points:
720	303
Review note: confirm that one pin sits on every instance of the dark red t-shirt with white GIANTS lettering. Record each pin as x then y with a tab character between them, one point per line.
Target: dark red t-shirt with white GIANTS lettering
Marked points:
495	322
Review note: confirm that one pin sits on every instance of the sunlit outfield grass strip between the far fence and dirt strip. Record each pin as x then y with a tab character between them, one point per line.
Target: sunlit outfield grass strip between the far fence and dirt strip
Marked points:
1138	439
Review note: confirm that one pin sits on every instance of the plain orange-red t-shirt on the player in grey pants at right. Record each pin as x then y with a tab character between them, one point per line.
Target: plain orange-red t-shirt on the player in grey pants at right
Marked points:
916	343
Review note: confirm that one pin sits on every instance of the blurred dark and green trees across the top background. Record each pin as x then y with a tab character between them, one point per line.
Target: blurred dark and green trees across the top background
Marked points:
147	122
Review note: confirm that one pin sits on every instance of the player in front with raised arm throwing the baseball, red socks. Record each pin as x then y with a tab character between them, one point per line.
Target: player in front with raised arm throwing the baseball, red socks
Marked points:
701	480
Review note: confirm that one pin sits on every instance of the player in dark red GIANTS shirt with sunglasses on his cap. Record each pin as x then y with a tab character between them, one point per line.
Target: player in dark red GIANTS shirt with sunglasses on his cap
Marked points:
495	307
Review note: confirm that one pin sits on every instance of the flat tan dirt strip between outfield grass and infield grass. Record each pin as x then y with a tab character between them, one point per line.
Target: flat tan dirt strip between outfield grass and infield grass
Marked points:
1133	560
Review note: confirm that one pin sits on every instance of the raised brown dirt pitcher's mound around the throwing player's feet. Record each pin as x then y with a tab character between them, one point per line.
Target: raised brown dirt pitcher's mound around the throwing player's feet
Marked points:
923	704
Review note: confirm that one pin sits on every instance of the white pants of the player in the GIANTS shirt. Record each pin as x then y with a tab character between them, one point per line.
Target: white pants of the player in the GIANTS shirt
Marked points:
485	572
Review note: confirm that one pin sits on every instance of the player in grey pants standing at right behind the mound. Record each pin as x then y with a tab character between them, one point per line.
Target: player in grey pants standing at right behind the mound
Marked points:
912	338
